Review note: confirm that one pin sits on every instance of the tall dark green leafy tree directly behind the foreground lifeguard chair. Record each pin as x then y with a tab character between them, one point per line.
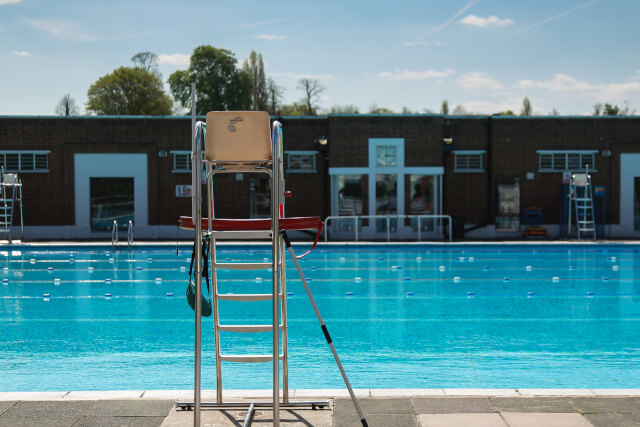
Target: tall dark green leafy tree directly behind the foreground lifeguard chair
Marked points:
220	85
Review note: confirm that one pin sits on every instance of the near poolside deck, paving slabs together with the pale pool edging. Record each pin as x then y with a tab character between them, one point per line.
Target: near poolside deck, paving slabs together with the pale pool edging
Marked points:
382	407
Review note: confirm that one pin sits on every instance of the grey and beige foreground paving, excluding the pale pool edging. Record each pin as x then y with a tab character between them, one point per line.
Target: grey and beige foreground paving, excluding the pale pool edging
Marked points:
405	411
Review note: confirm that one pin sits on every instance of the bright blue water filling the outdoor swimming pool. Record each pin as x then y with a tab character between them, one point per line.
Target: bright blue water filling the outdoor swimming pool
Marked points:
425	316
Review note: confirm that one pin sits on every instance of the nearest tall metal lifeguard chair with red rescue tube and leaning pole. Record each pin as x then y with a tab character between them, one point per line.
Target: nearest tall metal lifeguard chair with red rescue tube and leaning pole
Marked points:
244	142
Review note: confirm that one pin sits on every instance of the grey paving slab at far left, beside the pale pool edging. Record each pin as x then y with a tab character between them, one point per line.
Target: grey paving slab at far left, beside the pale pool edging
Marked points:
50	409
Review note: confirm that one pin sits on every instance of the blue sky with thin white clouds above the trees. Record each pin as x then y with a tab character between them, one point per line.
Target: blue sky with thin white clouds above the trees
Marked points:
483	55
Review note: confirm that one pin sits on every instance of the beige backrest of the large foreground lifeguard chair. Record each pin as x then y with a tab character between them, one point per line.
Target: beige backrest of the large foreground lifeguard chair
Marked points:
238	136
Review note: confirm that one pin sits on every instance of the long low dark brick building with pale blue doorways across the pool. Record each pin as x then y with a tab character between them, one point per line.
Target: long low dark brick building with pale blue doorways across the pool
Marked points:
80	173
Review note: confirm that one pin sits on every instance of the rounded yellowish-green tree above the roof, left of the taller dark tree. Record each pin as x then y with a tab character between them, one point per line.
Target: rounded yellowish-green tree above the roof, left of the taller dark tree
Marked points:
128	91
